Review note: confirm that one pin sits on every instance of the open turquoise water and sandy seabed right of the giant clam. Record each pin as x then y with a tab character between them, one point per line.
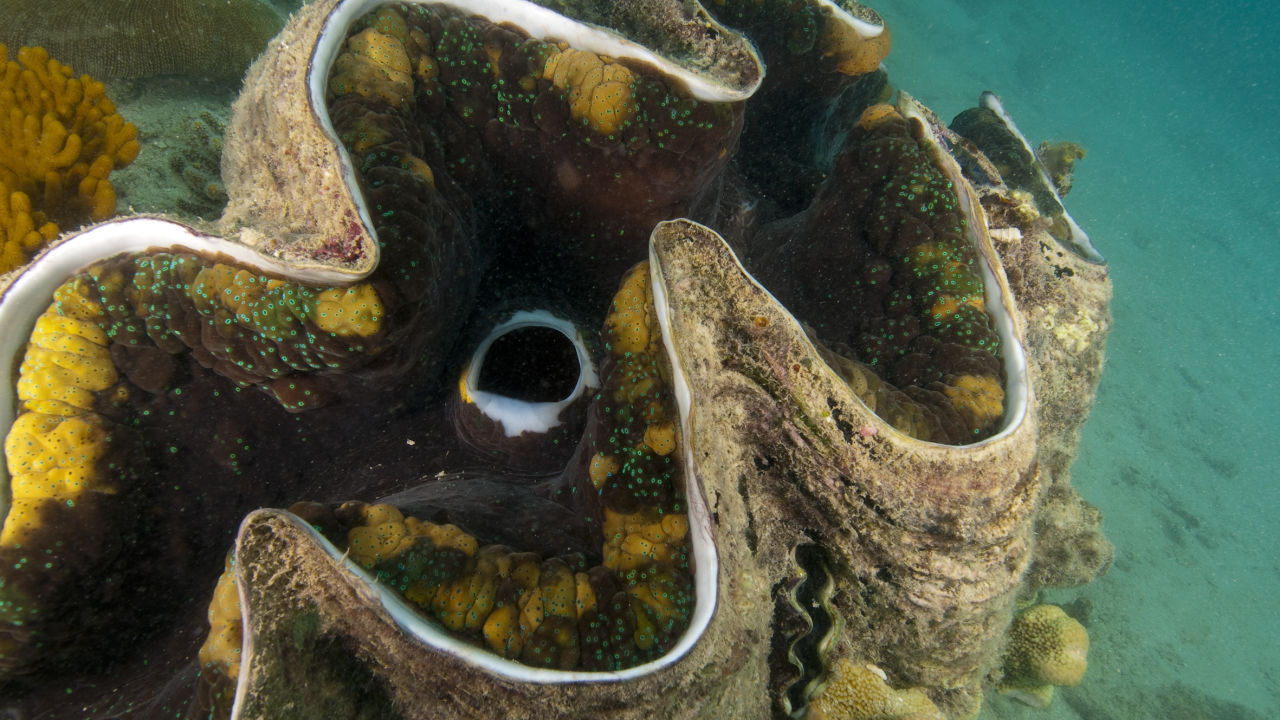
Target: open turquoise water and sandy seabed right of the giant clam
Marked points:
1177	106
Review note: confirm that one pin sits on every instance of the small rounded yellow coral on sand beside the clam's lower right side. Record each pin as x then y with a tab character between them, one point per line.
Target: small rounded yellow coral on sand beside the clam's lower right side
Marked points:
1045	648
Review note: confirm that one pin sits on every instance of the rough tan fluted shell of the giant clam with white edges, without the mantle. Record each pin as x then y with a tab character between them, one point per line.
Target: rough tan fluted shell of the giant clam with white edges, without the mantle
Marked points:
779	453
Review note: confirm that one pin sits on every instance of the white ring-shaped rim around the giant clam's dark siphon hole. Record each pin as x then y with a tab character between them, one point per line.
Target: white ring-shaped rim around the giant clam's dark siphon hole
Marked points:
516	416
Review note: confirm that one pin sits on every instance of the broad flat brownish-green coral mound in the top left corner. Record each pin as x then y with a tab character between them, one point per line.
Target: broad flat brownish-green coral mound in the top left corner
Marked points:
214	39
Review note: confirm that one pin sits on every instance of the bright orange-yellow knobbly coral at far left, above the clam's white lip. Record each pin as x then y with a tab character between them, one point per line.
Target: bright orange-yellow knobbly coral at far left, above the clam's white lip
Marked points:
60	139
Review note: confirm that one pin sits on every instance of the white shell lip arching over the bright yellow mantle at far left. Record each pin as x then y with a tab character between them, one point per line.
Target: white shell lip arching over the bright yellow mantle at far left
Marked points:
31	293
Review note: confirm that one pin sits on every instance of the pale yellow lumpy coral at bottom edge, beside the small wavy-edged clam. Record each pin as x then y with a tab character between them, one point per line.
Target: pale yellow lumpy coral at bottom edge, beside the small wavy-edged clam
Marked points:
861	692
